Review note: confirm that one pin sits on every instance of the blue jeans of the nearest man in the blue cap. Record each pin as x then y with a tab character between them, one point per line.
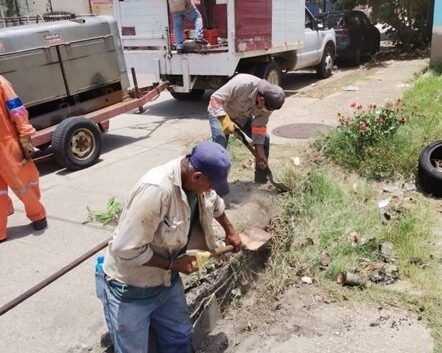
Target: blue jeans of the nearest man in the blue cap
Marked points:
129	323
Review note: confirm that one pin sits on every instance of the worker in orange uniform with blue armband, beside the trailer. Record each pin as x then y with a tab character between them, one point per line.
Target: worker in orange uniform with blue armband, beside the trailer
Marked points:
17	170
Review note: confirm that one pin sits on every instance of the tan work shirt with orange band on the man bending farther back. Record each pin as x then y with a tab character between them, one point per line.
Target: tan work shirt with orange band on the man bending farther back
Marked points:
237	99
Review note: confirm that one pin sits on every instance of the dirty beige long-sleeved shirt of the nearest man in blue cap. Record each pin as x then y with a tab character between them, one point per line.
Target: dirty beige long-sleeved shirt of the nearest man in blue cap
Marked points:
156	219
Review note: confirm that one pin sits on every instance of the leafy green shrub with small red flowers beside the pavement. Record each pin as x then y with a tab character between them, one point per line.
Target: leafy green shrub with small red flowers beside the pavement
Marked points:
366	139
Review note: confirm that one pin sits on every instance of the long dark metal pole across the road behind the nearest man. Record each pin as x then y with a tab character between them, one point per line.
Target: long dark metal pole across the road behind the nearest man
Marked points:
30	292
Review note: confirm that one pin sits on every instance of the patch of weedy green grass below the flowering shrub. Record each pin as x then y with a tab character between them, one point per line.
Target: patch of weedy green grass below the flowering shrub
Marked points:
326	212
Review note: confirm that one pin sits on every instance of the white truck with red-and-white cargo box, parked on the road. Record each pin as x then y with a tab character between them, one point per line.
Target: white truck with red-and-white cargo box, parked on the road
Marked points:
262	37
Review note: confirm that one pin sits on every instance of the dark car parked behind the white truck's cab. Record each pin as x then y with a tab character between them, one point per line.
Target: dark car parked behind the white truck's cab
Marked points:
356	36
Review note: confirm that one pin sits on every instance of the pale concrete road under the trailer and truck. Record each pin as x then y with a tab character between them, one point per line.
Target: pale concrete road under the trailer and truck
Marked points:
66	316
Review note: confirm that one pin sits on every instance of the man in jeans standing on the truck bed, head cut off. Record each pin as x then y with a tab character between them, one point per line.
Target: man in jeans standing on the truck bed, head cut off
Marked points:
180	10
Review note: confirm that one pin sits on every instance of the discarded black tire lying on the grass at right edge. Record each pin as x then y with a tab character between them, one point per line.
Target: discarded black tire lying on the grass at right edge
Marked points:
430	169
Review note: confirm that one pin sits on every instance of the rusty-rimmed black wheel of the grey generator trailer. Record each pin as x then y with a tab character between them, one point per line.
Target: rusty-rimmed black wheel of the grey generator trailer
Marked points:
77	143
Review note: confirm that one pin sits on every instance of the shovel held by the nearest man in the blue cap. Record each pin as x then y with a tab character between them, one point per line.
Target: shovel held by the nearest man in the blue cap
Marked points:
253	240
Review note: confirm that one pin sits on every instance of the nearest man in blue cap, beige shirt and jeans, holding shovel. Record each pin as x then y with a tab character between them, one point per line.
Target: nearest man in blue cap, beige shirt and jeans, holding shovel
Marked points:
140	287
